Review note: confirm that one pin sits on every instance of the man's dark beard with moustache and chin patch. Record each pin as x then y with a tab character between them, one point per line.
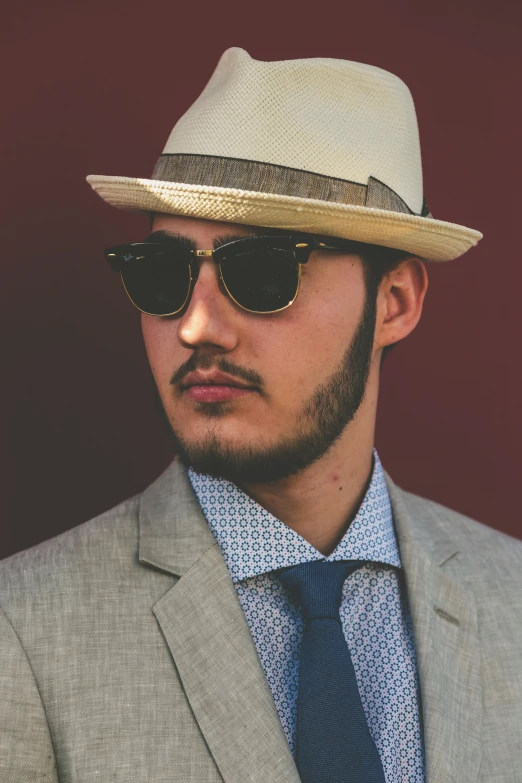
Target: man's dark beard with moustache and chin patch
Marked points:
319	424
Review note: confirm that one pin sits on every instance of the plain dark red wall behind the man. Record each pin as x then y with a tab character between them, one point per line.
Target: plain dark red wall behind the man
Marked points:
96	88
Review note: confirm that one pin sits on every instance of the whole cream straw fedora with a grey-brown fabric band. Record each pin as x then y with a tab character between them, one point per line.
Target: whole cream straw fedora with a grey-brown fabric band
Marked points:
317	145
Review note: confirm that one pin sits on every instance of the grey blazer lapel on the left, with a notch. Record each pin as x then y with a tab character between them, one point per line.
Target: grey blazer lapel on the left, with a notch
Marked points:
205	628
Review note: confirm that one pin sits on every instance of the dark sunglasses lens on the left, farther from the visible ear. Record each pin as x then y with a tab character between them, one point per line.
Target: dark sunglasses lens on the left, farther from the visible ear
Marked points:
157	280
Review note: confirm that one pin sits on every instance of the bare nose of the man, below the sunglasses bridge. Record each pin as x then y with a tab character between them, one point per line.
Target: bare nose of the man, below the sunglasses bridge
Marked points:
211	318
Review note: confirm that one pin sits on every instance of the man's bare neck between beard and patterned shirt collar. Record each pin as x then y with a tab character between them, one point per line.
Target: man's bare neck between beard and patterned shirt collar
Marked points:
321	501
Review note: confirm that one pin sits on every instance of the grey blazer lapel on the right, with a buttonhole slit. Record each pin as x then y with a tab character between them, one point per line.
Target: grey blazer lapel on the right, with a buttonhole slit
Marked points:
444	616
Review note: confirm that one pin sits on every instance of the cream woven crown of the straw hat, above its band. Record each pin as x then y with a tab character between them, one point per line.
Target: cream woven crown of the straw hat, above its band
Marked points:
336	118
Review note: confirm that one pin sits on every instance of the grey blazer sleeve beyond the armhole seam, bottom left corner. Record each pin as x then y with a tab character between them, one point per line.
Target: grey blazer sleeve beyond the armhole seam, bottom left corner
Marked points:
26	751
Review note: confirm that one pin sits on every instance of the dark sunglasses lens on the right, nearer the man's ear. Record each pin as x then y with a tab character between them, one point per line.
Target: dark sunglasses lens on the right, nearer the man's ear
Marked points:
262	279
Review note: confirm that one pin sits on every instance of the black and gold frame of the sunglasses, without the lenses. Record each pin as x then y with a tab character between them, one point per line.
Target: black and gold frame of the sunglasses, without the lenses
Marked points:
302	247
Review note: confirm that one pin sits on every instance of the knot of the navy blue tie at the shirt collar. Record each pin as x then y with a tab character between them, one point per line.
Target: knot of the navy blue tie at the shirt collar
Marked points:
318	586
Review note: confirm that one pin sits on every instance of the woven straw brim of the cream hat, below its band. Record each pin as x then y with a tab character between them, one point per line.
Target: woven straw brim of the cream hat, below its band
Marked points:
430	239
